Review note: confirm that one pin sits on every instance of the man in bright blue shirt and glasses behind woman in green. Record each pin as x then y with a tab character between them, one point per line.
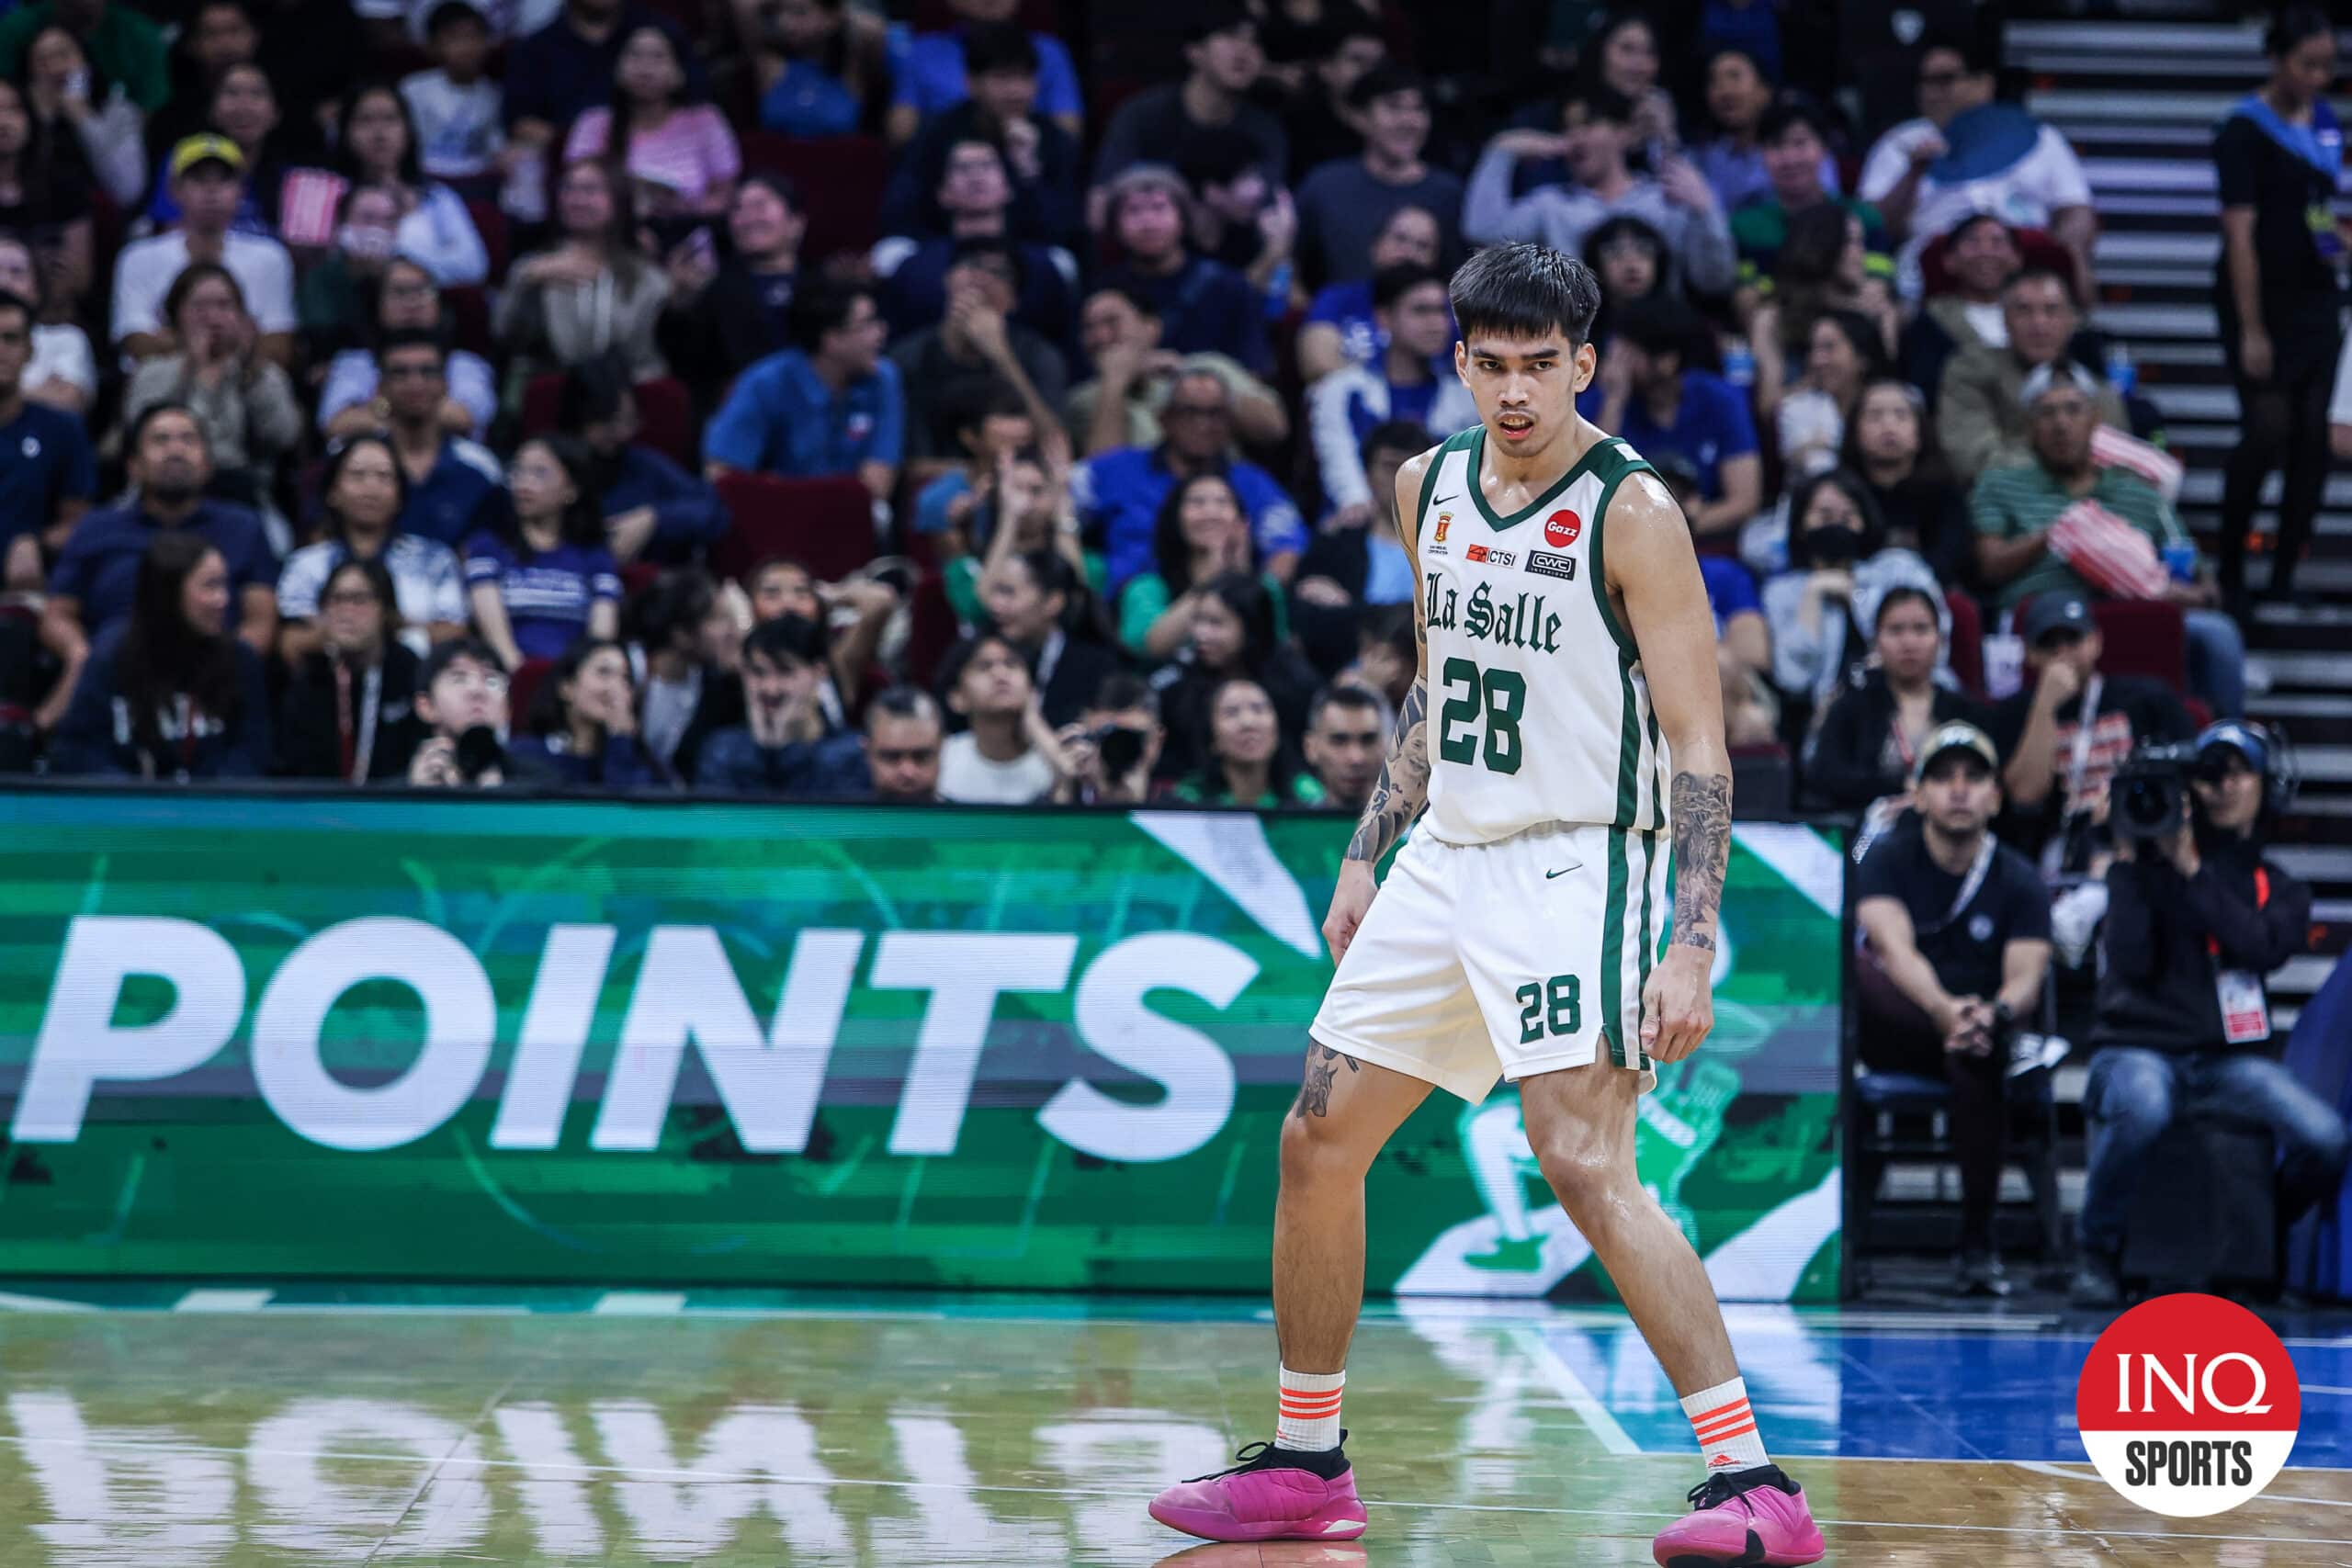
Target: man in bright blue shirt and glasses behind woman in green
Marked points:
1118	495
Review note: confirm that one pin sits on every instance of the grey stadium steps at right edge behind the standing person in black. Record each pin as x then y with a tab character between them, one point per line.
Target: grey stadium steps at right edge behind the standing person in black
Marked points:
2139	100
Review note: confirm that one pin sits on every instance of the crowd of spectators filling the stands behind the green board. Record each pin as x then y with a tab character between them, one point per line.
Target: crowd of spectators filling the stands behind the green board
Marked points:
791	398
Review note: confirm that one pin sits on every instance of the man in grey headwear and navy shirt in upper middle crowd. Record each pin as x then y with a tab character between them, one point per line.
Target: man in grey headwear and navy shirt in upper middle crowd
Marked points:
1203	304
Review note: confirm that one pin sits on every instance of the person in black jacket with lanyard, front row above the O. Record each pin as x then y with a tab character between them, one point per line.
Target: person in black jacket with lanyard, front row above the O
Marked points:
352	704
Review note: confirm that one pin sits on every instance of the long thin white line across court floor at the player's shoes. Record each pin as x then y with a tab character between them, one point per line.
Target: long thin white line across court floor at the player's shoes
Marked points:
542	1468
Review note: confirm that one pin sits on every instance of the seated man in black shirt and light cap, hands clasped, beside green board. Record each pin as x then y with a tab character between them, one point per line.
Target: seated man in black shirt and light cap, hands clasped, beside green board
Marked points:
1956	946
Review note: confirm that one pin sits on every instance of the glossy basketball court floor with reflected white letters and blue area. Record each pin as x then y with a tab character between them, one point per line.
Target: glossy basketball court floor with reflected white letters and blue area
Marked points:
1003	1438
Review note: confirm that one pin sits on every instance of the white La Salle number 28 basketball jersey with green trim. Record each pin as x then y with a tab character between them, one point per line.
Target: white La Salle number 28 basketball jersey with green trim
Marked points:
1537	702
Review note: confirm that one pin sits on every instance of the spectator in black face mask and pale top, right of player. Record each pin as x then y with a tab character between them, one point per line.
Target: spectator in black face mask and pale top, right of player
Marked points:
1838	570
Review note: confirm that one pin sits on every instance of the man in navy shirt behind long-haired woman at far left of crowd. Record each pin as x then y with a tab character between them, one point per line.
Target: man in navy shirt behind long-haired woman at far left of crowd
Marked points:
98	575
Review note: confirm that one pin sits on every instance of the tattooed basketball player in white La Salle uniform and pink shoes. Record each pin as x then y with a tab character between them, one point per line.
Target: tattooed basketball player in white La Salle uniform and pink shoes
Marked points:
1563	723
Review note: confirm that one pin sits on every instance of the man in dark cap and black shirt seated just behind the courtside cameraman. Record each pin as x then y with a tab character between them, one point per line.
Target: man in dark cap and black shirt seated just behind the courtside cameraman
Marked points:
2057	775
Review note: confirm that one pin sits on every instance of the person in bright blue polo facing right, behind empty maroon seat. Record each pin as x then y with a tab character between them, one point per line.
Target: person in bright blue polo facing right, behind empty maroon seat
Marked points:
829	406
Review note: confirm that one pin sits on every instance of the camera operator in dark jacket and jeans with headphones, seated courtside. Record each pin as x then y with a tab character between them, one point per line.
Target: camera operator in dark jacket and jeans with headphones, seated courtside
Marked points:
2196	918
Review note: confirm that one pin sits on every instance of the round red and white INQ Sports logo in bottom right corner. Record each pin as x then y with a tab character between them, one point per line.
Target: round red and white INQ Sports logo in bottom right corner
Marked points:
2189	1407
